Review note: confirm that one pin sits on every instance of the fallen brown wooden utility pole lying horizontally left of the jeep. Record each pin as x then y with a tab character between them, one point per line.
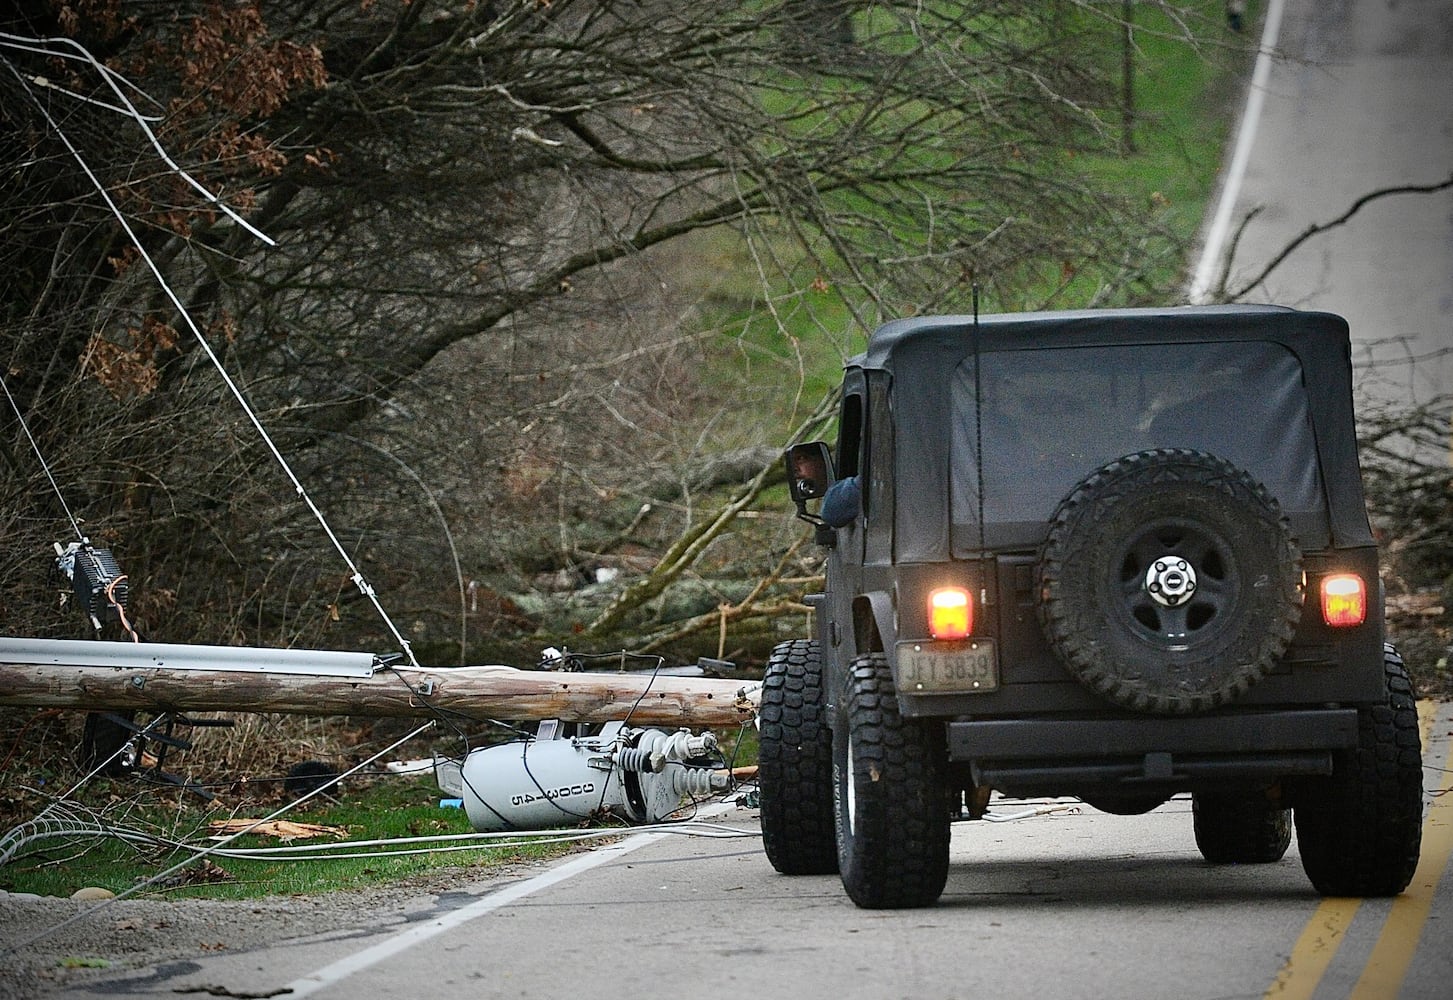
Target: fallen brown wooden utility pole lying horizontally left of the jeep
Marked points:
31	675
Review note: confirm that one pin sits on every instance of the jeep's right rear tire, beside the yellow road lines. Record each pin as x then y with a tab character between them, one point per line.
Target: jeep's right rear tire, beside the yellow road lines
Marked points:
1361	831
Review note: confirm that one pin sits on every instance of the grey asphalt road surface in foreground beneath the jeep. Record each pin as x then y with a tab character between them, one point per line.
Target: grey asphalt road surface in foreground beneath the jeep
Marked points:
1061	902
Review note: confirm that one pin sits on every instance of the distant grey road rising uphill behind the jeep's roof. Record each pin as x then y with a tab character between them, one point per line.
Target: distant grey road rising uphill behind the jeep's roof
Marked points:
1361	101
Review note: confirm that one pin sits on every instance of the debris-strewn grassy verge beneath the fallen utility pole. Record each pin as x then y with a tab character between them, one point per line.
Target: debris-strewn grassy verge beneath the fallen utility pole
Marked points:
146	835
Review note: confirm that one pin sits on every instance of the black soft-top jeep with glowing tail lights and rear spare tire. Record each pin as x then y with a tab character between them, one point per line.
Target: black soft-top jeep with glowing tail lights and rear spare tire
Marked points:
1117	556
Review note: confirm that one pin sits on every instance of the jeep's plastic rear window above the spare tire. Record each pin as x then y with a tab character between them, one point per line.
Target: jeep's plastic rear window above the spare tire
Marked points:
1051	418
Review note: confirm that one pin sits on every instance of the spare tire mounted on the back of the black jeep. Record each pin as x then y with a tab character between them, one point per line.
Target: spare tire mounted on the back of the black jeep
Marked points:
1170	582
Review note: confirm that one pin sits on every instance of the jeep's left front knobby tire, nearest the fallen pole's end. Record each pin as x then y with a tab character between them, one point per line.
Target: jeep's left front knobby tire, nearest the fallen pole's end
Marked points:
796	764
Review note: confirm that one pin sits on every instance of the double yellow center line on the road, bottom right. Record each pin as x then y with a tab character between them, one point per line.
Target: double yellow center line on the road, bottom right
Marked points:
1388	964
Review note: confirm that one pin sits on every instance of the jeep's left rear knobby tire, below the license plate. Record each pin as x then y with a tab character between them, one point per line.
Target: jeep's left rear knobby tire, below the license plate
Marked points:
890	794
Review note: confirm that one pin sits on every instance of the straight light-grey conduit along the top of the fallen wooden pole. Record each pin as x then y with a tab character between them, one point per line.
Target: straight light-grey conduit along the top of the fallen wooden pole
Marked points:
175	656
